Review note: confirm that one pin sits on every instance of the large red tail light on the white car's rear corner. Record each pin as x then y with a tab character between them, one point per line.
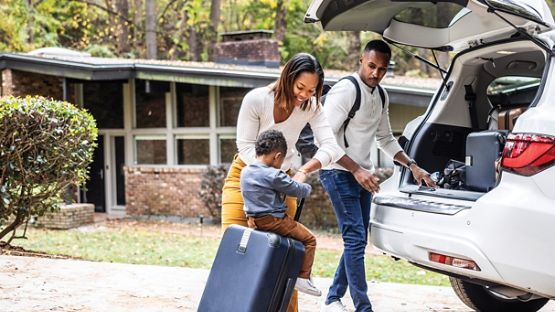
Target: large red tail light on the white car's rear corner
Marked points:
528	154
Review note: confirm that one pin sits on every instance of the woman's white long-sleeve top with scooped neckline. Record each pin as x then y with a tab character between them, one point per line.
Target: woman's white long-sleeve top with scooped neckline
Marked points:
257	115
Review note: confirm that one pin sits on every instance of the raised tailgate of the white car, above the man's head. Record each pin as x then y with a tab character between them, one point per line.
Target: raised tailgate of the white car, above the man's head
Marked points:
458	24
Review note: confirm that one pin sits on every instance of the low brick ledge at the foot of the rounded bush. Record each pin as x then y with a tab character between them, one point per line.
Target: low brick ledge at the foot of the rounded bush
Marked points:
69	216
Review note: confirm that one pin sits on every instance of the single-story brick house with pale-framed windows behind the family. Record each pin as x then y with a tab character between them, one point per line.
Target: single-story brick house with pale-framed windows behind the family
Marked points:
162	122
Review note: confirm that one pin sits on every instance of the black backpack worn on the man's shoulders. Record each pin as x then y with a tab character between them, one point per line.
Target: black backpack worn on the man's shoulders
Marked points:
305	144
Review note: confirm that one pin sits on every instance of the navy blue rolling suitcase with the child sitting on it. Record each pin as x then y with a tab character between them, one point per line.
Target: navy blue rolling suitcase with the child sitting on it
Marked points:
254	271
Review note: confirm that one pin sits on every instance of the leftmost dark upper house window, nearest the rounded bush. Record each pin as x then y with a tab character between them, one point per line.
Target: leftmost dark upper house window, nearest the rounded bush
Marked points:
104	100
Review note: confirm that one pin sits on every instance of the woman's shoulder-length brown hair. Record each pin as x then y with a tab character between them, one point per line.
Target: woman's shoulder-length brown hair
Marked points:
298	64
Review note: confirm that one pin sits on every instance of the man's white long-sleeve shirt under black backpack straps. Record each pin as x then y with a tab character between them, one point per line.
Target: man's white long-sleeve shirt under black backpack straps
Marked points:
371	122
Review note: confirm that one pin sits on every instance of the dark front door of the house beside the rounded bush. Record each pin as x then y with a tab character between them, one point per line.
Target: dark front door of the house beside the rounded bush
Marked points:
94	191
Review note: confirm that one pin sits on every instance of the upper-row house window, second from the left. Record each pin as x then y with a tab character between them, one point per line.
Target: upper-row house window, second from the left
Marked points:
150	99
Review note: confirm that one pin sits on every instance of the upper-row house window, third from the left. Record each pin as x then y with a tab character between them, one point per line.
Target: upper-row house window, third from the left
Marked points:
192	105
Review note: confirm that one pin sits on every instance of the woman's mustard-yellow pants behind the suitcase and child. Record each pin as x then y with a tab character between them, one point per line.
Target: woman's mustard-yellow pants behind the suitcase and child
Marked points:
232	208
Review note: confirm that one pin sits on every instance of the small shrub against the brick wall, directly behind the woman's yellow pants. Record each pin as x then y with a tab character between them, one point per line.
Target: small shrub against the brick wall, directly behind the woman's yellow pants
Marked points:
210	192
